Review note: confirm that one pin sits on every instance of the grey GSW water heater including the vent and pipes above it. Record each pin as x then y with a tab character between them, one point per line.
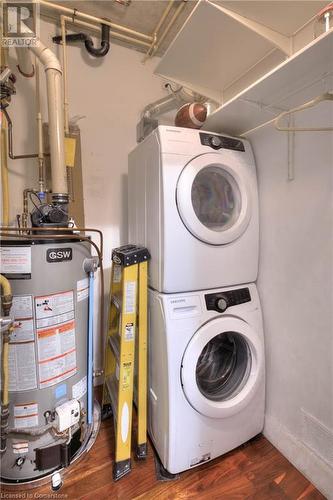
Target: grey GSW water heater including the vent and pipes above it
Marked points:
48	418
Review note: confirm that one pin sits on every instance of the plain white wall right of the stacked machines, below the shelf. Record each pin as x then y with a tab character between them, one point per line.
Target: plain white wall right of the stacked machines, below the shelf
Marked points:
295	284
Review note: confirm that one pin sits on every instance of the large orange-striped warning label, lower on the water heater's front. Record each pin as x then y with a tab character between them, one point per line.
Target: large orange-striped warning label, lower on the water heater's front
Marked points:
56	354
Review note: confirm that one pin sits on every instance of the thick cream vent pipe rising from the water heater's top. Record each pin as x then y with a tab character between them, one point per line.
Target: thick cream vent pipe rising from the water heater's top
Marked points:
53	74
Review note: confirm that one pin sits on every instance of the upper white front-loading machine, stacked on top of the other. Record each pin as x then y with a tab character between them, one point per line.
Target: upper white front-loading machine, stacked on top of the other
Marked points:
193	202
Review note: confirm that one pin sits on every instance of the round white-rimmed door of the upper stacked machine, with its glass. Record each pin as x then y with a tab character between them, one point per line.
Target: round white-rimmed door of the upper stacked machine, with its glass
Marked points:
213	200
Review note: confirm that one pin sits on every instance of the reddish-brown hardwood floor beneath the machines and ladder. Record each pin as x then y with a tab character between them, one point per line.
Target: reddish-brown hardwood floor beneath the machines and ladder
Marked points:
256	471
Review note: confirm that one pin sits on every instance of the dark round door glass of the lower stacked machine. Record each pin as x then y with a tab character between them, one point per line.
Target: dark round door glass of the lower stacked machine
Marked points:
223	366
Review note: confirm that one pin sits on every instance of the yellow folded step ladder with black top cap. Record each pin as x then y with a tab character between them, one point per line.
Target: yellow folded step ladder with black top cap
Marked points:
126	345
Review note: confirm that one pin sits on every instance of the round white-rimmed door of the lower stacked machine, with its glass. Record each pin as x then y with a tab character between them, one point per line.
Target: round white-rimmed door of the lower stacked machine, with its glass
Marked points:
222	367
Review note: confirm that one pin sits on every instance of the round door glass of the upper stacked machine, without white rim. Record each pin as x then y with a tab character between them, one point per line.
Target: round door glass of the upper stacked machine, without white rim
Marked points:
216	198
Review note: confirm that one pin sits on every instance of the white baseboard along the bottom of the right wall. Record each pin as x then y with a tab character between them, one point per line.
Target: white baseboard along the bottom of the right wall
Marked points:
302	457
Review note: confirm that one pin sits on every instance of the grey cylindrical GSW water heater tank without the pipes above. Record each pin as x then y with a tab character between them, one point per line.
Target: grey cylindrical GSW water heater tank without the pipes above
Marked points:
48	420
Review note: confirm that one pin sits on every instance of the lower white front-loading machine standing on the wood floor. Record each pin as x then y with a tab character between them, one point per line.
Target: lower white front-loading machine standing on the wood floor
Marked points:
206	373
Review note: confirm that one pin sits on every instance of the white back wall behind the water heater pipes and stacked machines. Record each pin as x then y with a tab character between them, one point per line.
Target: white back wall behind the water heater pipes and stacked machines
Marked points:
110	92
